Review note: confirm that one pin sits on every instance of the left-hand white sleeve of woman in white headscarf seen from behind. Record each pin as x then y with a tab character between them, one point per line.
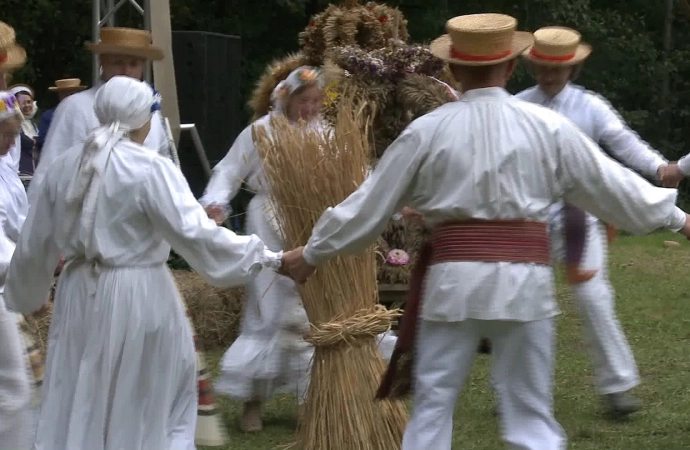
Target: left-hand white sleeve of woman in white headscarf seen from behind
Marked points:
31	271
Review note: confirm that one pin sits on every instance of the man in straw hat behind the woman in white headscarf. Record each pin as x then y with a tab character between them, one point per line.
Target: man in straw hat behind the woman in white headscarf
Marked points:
121	51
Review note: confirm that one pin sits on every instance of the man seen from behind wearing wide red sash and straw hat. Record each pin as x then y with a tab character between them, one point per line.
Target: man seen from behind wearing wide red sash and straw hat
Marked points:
484	172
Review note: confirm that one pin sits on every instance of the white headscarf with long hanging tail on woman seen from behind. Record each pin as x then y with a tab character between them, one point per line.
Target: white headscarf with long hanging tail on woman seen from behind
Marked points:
123	104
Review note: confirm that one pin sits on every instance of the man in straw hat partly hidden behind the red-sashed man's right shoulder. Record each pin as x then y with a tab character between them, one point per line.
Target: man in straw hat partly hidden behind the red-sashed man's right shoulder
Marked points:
556	58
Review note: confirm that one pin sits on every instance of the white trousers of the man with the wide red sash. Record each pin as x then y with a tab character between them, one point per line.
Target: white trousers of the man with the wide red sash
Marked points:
522	365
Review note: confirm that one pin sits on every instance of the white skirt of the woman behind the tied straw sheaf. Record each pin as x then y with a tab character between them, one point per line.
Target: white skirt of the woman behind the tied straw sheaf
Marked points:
270	356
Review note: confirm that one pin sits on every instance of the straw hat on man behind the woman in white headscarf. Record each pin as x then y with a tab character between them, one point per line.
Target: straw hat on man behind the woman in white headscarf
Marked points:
126	41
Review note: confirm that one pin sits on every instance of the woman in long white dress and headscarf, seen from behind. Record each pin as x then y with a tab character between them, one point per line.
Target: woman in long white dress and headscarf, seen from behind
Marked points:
120	371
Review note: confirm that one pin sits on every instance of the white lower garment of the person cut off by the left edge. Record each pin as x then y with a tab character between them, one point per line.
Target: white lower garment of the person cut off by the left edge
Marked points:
15	388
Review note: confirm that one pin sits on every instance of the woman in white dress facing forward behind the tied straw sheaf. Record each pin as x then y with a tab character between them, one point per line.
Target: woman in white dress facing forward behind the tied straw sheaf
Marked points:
270	355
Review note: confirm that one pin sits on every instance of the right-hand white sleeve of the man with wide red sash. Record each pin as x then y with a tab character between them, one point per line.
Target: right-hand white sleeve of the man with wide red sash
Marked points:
613	193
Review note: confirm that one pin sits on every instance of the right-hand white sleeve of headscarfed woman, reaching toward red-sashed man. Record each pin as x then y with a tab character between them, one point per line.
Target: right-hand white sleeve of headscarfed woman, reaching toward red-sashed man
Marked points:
220	256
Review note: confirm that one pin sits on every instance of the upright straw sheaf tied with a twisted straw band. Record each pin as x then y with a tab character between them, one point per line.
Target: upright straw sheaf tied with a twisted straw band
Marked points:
309	172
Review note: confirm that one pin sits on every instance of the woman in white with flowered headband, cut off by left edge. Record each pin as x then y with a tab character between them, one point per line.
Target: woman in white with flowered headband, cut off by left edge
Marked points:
15	390
